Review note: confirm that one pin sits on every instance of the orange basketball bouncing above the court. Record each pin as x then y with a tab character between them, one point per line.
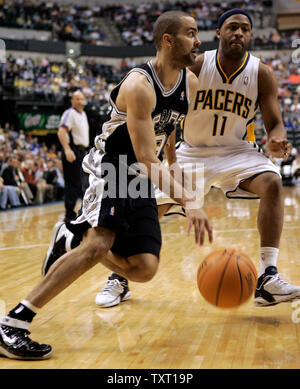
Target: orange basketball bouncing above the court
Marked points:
226	278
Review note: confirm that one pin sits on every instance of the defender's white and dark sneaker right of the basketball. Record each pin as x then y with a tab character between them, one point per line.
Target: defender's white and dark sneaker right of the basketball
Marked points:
271	290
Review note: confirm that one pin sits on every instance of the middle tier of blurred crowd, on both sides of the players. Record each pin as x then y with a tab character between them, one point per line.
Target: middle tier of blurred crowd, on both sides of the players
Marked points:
44	80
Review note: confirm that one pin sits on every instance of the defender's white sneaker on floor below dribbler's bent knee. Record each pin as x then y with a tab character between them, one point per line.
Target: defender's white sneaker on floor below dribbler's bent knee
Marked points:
115	291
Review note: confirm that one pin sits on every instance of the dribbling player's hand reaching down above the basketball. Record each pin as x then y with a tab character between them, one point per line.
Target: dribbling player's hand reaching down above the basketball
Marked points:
199	219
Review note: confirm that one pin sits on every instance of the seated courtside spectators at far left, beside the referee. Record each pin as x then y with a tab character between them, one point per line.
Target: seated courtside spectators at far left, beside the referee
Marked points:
30	171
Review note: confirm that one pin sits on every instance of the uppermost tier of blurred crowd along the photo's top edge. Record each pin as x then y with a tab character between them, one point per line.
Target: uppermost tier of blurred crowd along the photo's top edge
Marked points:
134	23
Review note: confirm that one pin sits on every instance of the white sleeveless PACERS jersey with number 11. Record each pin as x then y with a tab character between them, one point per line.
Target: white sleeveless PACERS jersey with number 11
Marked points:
223	109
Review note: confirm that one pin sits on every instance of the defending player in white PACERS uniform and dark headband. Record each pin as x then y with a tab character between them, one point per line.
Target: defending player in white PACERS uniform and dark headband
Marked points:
219	132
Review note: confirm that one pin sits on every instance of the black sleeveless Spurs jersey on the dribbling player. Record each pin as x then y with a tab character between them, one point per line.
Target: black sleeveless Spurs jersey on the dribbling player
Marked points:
170	108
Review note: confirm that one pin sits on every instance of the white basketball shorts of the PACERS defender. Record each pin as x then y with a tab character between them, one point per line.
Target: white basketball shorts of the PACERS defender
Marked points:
223	167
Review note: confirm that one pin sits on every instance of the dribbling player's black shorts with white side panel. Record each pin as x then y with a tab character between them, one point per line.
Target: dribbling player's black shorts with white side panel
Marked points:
134	220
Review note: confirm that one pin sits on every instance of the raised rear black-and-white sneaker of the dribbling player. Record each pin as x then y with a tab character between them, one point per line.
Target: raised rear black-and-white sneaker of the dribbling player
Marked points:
57	246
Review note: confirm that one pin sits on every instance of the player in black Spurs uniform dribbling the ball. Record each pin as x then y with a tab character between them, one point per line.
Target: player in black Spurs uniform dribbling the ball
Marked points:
123	232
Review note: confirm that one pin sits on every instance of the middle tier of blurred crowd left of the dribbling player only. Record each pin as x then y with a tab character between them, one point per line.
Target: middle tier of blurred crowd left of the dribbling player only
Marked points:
46	80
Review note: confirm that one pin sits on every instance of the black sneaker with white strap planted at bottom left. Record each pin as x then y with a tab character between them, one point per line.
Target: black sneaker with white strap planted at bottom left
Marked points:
15	343
